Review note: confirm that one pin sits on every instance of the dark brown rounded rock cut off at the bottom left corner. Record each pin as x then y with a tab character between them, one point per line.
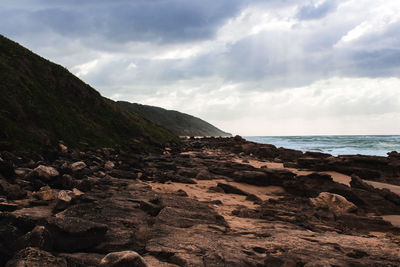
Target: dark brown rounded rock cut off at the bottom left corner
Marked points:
34	257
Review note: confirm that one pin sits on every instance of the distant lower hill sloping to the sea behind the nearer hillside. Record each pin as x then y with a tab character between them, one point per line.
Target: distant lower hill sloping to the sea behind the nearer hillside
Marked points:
179	123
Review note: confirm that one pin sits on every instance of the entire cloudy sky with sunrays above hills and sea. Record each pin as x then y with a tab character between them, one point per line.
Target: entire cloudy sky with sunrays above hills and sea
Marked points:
271	67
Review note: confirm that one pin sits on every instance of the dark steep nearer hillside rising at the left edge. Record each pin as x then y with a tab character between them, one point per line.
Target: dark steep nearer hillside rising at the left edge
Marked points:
42	103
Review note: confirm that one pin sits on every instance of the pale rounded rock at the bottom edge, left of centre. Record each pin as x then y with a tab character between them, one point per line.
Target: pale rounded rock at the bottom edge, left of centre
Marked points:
123	259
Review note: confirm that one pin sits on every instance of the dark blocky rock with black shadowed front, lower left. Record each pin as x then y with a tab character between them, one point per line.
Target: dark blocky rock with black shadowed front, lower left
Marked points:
75	234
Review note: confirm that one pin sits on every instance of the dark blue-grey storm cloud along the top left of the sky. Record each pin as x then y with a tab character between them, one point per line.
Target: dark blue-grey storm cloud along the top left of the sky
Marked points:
123	21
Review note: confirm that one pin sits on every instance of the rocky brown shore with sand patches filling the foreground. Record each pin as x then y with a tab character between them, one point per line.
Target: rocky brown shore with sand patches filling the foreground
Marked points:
207	202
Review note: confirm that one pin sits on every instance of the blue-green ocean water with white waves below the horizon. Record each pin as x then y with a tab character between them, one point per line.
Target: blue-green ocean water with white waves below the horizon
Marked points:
378	145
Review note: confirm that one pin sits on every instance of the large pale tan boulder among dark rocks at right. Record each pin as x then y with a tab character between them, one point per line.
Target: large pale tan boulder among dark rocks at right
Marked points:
333	202
